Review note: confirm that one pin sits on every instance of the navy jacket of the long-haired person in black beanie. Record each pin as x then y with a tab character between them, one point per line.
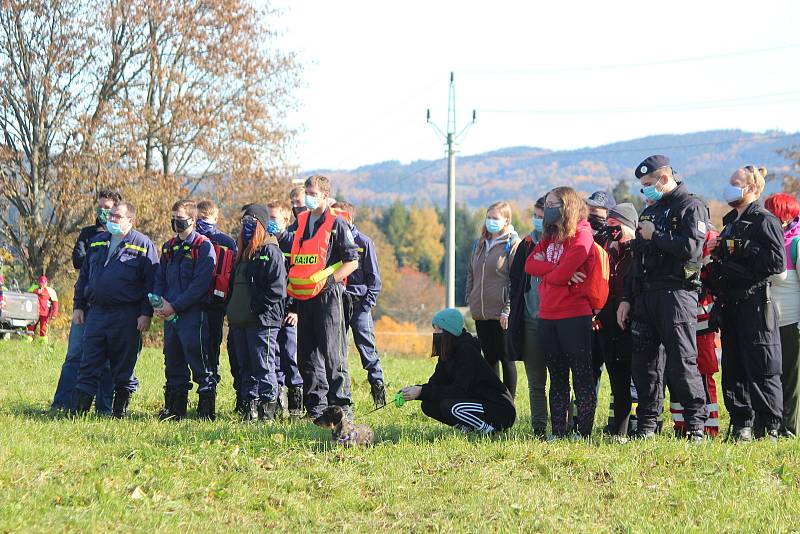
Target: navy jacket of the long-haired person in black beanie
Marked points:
266	277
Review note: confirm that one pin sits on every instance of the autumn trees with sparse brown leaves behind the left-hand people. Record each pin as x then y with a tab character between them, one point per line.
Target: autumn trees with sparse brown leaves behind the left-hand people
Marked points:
160	98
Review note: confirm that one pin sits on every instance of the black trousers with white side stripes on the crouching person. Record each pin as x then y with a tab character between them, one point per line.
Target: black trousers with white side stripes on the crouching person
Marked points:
471	414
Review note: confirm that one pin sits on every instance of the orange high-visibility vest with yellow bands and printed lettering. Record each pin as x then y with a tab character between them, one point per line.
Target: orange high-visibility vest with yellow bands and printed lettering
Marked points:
307	271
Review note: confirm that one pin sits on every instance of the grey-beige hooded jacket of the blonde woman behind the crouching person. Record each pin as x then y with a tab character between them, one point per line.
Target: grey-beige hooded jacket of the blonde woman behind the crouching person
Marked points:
488	282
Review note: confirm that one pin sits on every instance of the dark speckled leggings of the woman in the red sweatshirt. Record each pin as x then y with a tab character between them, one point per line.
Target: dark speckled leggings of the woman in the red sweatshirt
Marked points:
567	346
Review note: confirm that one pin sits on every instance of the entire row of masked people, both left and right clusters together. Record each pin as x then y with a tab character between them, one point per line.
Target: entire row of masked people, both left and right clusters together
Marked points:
594	286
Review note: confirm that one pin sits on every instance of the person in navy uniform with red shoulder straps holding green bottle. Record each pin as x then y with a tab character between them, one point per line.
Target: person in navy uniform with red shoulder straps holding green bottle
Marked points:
183	280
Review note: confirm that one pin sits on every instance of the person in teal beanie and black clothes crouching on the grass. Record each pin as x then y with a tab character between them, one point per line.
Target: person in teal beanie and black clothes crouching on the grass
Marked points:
463	392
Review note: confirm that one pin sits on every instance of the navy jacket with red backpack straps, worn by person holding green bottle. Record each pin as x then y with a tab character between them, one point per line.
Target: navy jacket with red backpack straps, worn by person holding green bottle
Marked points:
182	281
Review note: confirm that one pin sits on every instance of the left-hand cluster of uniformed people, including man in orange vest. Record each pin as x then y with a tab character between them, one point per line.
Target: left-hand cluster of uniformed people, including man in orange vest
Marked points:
290	291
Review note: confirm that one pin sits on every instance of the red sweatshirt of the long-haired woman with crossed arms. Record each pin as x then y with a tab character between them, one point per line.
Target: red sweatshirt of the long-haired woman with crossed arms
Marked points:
558	298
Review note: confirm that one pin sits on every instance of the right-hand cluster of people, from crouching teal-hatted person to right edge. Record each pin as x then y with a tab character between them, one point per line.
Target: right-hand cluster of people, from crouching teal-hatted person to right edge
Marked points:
596	285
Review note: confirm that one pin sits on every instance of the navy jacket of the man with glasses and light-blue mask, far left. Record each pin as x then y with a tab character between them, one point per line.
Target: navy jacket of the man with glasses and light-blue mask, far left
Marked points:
126	279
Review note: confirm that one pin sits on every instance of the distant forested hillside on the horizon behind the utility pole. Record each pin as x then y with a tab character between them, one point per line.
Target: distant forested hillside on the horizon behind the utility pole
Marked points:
704	159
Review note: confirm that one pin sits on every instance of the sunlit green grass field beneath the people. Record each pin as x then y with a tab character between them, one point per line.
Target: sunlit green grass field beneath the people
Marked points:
97	474
